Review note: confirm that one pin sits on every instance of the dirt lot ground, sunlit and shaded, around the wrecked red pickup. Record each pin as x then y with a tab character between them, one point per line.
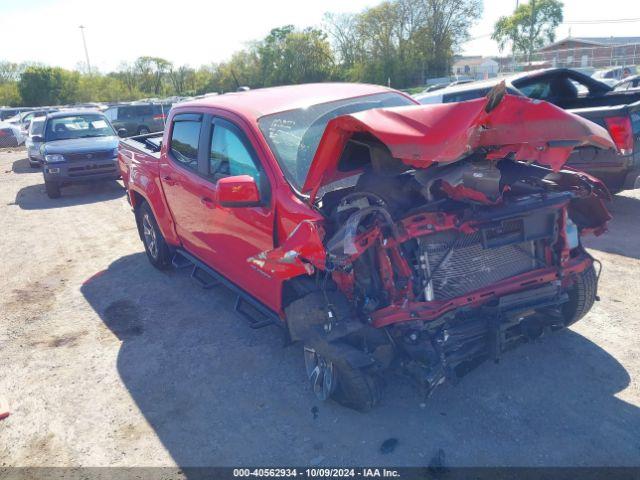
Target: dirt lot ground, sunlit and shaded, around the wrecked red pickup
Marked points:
106	361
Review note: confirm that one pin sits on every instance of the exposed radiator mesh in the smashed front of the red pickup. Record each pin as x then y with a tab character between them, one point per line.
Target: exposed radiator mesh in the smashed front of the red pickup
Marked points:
458	264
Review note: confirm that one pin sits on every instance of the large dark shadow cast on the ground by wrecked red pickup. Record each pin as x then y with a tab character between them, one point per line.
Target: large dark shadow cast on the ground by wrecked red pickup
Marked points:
218	393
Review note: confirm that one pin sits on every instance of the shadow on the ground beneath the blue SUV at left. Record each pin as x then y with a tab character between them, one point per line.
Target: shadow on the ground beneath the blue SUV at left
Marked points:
34	197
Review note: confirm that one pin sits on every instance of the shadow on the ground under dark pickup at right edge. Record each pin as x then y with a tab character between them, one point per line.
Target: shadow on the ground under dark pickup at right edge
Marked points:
624	229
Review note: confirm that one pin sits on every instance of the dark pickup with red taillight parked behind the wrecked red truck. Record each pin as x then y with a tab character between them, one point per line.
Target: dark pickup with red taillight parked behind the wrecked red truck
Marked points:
618	111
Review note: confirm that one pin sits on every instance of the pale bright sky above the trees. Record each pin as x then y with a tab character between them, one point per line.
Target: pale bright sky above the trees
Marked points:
198	32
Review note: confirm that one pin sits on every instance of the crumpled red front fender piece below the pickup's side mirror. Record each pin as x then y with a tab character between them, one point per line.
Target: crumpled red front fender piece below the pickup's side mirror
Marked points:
299	254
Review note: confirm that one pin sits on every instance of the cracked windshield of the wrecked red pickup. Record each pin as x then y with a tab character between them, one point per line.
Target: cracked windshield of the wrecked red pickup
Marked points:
294	135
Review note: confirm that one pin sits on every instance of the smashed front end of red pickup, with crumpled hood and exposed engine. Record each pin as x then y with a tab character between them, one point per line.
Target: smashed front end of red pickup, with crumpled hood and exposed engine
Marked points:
437	250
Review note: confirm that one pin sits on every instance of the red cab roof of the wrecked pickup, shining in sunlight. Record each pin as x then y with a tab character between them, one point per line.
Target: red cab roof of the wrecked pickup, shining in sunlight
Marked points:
254	104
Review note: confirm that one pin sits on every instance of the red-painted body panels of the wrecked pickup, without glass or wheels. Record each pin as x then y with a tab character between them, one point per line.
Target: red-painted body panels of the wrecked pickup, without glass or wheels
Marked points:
259	245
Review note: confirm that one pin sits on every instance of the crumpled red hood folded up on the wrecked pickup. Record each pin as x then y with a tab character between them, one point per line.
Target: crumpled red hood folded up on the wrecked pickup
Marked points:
530	130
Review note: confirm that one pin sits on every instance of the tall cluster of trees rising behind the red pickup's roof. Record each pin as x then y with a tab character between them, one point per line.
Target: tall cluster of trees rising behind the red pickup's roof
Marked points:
402	41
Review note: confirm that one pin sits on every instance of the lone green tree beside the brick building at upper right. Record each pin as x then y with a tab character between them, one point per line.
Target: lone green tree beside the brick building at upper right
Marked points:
529	27
